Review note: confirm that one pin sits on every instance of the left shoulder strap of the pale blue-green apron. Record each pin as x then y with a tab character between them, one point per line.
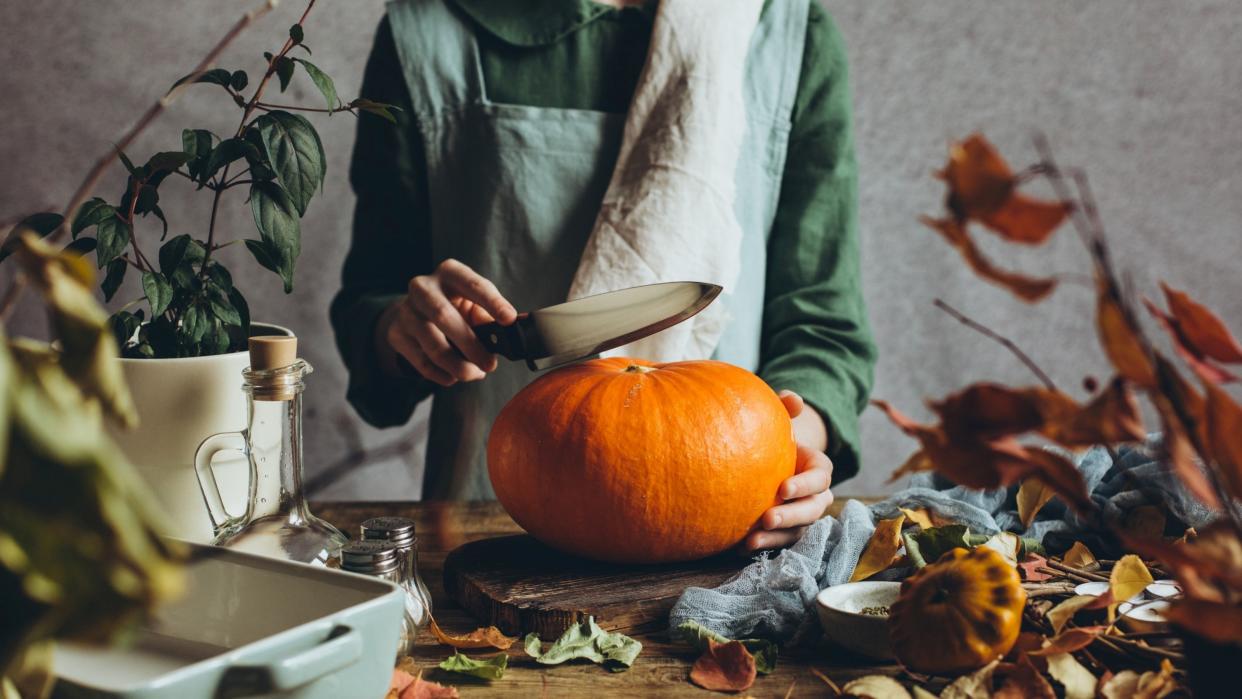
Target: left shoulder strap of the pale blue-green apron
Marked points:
439	56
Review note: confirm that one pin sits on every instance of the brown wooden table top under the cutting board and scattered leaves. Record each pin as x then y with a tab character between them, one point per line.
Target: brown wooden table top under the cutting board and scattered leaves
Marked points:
661	671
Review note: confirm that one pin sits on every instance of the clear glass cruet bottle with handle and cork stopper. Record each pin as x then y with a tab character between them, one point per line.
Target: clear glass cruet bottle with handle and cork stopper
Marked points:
278	521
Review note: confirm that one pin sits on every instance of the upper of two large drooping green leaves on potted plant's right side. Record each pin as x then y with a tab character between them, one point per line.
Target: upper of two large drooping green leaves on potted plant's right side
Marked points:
296	153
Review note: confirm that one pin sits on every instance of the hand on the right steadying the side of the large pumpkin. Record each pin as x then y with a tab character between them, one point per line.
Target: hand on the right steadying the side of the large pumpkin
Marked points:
805	495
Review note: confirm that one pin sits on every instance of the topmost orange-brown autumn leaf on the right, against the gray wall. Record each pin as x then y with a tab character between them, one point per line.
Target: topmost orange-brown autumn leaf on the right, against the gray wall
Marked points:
983	188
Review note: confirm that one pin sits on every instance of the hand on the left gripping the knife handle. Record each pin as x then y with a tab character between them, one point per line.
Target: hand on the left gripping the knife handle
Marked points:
433	326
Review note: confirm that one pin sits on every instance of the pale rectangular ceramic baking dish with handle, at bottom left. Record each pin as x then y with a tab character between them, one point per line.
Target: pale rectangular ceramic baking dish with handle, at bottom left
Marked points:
250	626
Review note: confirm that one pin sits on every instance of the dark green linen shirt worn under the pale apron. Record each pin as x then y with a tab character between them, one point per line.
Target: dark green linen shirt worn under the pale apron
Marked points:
582	55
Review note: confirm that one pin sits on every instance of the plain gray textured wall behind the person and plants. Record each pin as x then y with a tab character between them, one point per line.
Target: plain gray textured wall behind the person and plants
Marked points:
1145	95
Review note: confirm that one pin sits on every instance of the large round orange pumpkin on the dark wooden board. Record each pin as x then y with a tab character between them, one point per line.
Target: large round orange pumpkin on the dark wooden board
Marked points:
623	460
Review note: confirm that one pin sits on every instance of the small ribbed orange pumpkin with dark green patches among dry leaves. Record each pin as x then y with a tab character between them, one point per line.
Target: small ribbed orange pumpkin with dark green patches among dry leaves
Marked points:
958	614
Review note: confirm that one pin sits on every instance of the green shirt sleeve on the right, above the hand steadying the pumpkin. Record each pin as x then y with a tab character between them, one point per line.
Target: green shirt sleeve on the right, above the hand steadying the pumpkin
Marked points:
817	336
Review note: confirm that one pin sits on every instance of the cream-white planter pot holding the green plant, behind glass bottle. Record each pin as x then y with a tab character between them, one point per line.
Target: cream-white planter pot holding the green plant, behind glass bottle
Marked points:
182	403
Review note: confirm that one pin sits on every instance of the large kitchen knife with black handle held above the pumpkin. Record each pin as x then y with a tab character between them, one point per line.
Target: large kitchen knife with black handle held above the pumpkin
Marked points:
577	330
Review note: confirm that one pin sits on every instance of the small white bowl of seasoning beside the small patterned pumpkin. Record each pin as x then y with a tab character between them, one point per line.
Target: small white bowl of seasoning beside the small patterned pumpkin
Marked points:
844	623
